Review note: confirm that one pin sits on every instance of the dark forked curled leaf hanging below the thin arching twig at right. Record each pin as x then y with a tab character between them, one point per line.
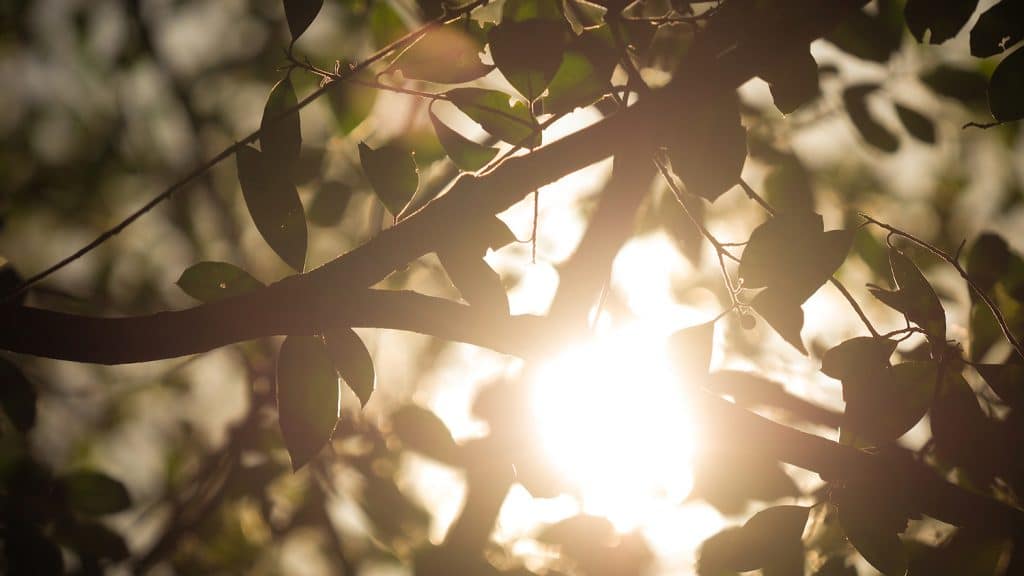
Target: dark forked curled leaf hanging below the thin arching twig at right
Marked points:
915	298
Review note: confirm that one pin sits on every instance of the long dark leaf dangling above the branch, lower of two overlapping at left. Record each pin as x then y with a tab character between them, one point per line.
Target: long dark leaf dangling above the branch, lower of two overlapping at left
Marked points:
275	207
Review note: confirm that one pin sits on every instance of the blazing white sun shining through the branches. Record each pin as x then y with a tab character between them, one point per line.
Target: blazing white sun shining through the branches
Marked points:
614	420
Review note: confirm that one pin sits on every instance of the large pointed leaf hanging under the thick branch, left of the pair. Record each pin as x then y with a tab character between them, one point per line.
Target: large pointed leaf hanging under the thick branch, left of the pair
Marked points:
308	397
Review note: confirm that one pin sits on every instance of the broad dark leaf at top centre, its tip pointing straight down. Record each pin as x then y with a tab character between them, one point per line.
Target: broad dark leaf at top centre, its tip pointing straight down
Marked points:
529	53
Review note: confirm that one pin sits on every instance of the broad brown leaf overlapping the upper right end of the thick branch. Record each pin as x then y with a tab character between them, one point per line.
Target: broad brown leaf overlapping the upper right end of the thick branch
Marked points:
710	157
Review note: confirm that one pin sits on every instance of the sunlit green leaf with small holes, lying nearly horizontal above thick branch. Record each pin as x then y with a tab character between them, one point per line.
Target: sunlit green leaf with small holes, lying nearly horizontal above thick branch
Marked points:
493	112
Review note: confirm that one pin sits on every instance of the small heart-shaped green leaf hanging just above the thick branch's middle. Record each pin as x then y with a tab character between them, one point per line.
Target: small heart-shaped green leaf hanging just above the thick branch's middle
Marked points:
394	175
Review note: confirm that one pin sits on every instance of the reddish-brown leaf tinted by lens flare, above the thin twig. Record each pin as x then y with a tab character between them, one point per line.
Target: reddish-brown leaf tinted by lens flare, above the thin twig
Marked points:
446	56
